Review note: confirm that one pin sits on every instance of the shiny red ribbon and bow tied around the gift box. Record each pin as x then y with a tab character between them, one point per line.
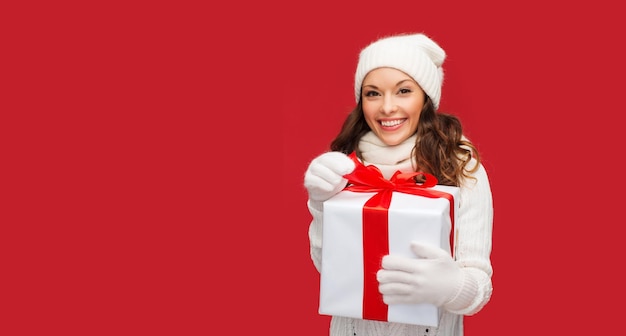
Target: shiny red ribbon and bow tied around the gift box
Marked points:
375	222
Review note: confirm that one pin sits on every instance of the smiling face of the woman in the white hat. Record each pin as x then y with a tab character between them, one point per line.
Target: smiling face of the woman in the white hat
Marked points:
392	103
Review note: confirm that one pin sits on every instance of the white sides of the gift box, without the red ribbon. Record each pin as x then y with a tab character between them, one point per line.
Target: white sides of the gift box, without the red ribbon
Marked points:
410	218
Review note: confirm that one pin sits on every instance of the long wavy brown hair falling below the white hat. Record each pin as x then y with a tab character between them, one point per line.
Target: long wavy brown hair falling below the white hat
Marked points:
439	149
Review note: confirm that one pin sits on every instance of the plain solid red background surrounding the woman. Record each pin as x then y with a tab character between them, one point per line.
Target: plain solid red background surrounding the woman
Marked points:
153	157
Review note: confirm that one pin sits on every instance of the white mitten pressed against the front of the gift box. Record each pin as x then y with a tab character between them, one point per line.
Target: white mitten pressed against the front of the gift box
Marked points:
431	278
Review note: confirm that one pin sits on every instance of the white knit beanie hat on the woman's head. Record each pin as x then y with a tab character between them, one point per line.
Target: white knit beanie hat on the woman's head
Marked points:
416	55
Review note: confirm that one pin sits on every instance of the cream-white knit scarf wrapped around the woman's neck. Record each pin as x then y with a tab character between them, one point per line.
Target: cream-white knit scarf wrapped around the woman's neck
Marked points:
387	158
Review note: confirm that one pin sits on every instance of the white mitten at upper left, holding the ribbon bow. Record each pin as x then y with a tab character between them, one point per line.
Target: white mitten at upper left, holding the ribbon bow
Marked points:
324	176
